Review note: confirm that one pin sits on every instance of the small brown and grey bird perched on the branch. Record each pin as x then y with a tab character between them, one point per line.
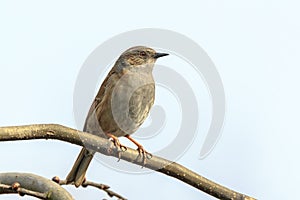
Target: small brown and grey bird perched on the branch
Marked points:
121	105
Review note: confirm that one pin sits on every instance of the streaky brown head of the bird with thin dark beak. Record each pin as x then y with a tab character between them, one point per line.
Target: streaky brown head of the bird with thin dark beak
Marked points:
138	58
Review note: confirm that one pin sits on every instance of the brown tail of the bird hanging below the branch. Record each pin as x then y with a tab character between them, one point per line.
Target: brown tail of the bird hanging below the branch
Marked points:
77	173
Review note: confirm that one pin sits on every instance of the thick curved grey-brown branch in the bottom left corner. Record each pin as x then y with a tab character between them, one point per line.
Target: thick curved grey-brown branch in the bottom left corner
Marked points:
33	185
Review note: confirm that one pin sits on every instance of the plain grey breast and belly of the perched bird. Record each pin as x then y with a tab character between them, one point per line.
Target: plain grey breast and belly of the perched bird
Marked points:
131	100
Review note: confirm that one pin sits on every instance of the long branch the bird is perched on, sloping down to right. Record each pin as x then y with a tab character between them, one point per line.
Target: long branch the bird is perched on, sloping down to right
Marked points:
104	146
